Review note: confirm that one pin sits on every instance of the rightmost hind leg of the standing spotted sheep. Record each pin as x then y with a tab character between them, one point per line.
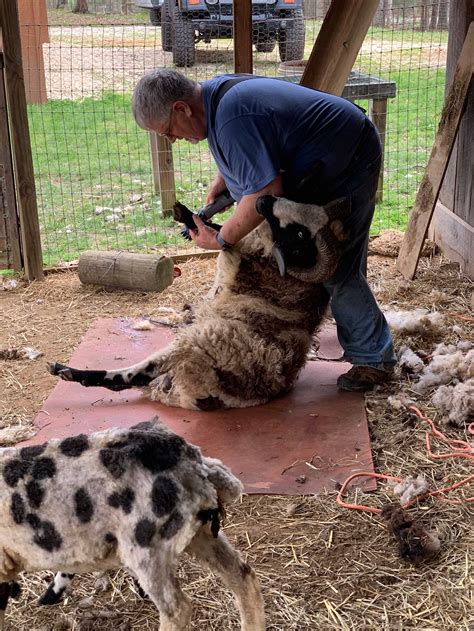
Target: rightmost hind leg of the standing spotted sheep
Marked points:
222	558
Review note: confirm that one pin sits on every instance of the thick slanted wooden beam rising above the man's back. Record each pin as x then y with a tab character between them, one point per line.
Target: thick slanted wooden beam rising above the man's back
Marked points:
338	43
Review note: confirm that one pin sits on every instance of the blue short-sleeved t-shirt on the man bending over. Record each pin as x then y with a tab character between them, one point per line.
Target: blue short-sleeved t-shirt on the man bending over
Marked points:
264	126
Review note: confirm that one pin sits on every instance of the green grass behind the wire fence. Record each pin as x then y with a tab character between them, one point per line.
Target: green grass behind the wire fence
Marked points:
89	155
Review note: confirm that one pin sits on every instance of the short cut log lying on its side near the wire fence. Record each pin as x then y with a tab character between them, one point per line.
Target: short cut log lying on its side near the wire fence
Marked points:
126	270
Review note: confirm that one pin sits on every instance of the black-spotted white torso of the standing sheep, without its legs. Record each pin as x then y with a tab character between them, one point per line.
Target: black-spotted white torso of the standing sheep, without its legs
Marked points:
84	502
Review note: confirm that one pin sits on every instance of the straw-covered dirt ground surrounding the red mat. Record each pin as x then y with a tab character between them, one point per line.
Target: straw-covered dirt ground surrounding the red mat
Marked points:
320	566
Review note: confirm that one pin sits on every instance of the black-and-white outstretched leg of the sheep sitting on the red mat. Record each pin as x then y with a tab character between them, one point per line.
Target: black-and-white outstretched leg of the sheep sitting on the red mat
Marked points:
138	375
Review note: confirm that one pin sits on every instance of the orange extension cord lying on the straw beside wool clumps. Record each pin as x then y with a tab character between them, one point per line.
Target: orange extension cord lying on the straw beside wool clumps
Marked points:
462	449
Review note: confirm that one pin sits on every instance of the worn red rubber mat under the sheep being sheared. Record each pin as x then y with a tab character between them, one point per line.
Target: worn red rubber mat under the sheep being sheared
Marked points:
303	443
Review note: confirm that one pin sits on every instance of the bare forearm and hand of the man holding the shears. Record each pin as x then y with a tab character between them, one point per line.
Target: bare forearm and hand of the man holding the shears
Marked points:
242	221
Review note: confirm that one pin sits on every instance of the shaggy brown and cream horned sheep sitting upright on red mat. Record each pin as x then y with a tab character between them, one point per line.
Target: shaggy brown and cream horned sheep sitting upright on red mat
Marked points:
249	342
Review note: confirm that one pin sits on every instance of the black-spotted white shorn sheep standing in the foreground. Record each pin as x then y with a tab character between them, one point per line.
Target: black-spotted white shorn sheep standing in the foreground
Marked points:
133	498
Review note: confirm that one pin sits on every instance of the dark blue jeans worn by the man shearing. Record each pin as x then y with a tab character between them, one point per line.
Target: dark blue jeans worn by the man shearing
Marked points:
362	329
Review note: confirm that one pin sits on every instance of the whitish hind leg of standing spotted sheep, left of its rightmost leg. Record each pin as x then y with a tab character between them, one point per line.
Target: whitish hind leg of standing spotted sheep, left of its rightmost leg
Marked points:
161	586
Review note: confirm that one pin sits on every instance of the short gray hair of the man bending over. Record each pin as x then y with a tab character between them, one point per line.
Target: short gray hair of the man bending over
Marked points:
156	92
